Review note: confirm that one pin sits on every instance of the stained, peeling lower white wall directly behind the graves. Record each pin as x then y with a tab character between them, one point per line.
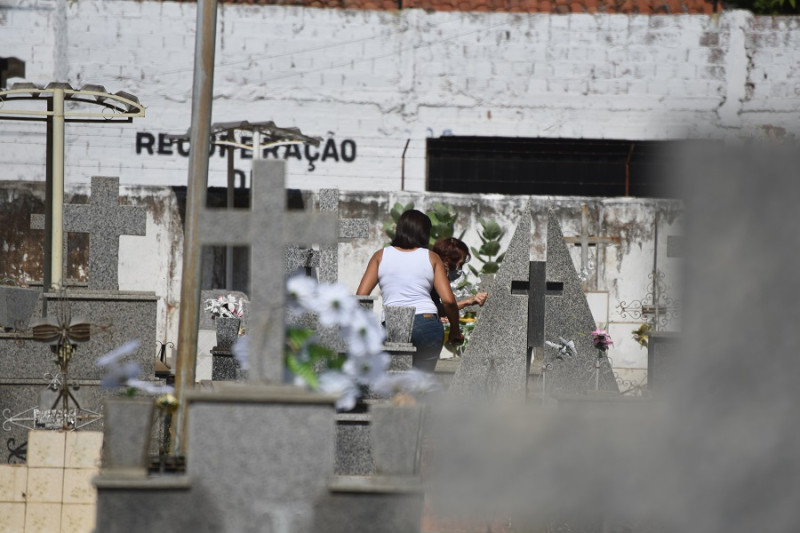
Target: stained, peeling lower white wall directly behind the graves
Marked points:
618	273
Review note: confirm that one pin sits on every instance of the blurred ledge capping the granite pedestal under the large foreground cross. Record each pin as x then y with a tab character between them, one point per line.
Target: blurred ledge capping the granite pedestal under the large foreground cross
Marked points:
226	392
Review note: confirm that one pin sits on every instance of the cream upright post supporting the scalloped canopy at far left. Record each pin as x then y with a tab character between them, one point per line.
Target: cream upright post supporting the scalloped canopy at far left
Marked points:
57	192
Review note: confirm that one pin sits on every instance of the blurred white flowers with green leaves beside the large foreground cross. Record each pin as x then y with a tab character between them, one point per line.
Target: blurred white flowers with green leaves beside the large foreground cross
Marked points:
365	364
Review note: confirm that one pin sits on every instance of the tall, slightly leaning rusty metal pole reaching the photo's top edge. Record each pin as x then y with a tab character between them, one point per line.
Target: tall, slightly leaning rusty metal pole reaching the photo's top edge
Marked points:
202	92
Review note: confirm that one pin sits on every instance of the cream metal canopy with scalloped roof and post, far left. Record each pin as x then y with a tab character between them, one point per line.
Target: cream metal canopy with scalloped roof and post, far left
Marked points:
117	107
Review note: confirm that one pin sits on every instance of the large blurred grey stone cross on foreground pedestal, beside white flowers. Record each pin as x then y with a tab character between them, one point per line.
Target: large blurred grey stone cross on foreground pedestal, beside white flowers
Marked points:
266	228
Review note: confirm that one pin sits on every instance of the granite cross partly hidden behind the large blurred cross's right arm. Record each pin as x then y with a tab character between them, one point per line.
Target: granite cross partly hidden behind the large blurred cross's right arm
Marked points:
326	260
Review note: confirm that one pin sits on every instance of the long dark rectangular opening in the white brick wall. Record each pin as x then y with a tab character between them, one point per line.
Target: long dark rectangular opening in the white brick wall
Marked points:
558	167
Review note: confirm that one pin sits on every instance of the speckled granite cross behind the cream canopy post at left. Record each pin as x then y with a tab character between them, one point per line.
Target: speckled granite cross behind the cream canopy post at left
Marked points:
105	220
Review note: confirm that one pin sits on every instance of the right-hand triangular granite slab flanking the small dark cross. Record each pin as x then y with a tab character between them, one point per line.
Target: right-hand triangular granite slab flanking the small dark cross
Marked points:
567	315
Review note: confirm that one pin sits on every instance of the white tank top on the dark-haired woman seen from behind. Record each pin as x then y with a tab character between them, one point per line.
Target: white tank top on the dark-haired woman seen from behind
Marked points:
406	279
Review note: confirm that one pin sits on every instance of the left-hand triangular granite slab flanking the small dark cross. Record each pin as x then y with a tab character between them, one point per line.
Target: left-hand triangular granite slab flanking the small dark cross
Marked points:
494	362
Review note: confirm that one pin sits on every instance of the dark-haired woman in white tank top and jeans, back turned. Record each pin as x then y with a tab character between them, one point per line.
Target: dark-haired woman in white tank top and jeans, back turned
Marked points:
407	272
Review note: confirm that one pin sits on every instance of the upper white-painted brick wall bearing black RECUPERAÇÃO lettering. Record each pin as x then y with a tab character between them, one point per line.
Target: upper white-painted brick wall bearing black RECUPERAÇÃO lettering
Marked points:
367	82
